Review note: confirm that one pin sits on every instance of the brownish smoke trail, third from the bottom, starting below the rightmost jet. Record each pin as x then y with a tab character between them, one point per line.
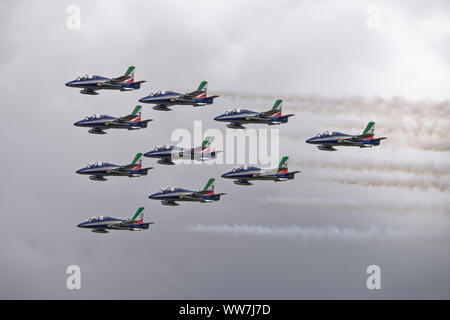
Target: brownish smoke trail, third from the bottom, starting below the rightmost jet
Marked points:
411	183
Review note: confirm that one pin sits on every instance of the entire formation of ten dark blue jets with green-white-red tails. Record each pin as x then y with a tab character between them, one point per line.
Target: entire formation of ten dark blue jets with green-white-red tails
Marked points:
166	155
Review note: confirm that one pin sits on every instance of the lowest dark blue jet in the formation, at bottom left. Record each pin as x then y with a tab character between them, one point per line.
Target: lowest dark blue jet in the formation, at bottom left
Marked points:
101	224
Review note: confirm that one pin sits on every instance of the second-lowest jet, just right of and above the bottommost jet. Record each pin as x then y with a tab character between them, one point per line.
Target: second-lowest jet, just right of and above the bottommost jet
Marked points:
169	196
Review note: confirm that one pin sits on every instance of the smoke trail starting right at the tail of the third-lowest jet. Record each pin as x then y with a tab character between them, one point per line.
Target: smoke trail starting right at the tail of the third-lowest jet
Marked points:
420	168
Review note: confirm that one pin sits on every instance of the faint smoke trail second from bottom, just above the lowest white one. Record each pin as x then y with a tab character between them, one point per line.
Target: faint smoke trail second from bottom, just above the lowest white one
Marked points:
400	206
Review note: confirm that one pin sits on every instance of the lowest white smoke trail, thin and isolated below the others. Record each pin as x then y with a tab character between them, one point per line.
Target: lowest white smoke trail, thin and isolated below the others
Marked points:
303	233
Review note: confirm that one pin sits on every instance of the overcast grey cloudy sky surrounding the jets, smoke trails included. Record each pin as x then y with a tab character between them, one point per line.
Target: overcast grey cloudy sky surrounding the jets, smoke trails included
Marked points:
309	238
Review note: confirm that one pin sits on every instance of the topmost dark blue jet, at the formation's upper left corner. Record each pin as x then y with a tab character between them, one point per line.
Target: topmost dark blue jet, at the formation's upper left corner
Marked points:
90	85
